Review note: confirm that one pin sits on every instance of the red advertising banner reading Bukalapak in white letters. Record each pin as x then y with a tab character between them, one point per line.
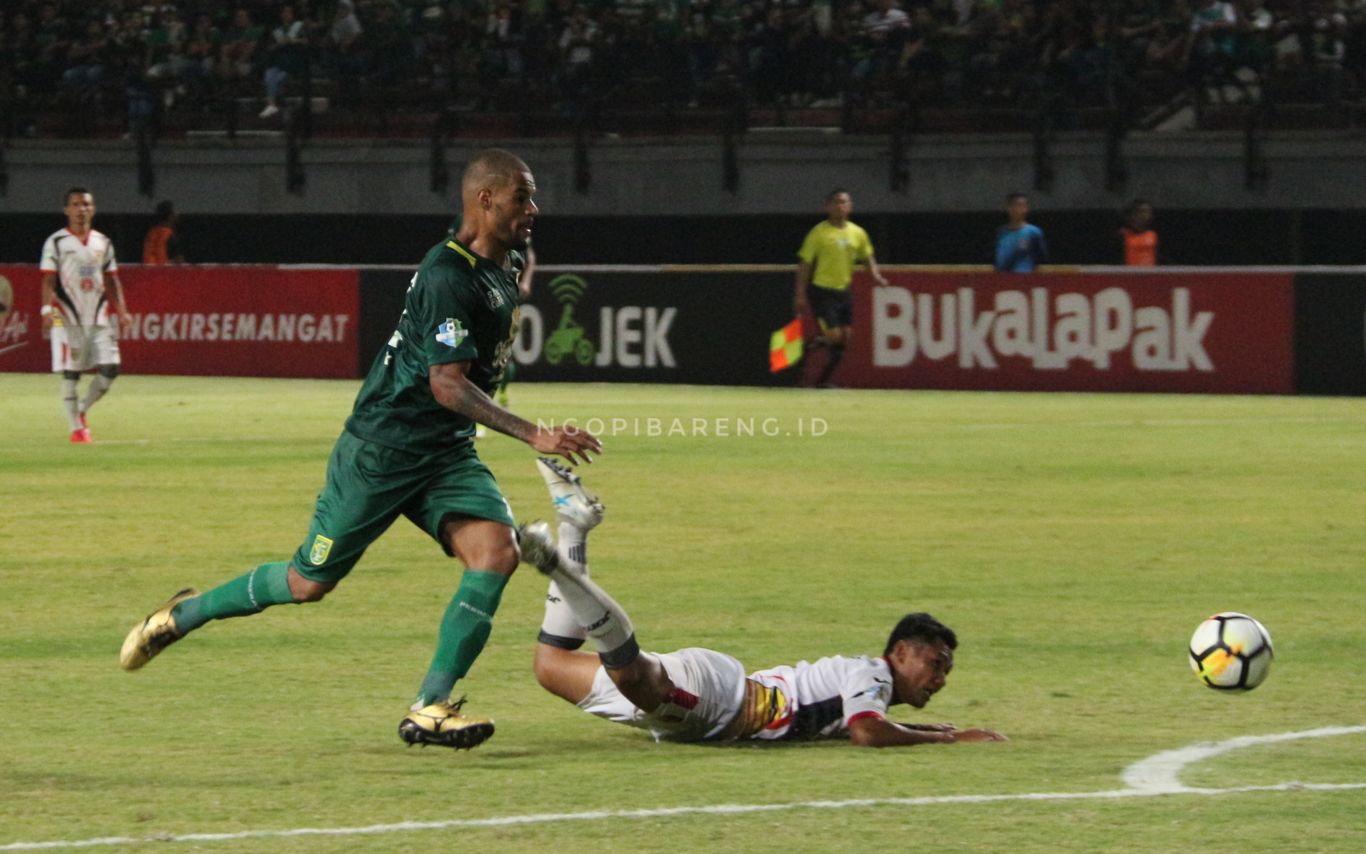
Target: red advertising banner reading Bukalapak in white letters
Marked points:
1144	333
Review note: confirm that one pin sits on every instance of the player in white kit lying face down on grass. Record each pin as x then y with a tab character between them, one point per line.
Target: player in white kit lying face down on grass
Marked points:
701	695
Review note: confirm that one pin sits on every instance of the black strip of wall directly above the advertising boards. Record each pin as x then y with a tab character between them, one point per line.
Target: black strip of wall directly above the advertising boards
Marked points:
1248	237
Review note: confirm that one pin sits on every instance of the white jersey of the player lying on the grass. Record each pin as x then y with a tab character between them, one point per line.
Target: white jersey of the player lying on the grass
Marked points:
822	700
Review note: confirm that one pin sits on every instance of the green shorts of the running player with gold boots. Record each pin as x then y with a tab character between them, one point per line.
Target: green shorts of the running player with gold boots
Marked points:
371	486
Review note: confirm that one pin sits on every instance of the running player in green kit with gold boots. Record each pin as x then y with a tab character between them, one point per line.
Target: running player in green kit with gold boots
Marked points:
408	450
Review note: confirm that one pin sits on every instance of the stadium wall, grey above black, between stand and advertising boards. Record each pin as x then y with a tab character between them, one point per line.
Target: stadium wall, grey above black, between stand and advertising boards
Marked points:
667	200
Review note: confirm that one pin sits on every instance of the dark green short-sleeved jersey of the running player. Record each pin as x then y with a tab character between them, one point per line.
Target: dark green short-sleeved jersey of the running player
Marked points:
460	308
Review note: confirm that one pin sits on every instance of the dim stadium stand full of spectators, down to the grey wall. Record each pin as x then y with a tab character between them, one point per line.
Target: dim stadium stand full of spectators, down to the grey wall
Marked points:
544	68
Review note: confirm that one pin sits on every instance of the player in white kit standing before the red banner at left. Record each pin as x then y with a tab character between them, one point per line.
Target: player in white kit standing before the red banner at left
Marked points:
77	266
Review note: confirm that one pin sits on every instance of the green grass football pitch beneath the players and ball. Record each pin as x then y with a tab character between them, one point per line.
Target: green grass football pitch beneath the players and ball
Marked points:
1074	542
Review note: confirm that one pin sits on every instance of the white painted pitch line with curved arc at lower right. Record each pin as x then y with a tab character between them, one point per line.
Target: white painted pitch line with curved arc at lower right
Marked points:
1154	777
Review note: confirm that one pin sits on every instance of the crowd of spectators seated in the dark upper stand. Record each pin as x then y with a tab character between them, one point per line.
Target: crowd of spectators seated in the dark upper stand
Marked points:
566	54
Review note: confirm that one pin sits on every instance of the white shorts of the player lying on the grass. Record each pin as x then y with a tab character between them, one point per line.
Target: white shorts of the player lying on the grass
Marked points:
710	688
